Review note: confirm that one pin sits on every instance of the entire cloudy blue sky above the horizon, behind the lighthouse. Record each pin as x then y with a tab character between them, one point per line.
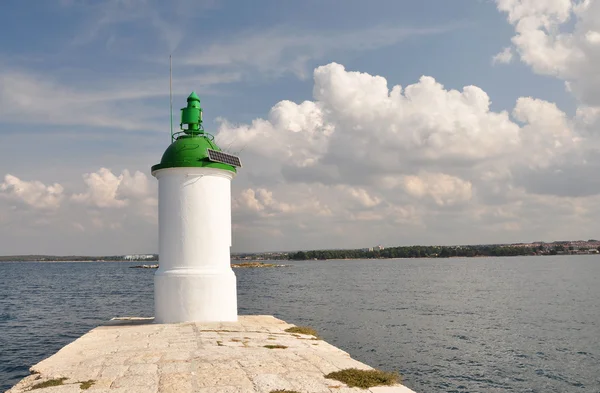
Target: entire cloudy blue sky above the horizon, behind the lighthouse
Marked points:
358	123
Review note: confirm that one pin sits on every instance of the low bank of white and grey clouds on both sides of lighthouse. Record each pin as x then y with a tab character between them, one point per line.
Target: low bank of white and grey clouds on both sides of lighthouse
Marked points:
364	163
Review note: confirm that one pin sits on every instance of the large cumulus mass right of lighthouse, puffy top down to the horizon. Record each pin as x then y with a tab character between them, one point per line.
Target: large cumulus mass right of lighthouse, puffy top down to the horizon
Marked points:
417	160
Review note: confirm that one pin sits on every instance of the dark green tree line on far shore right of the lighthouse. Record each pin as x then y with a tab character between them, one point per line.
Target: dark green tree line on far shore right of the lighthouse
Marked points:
416	252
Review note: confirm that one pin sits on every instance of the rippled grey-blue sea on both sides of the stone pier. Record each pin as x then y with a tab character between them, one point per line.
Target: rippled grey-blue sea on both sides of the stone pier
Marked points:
513	324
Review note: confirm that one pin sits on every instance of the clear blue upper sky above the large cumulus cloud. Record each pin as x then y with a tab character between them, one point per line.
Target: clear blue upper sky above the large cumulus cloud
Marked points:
89	43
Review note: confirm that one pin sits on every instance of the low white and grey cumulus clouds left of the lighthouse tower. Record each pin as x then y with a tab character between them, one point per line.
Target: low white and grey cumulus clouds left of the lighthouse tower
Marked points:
114	214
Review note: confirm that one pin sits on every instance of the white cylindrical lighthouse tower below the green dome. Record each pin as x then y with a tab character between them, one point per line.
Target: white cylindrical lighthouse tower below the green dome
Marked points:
194	281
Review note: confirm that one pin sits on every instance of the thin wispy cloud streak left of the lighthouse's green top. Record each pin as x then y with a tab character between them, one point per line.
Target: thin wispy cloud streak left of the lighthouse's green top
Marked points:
110	103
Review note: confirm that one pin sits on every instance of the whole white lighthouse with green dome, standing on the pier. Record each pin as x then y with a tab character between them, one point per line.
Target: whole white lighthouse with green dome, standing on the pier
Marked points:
194	281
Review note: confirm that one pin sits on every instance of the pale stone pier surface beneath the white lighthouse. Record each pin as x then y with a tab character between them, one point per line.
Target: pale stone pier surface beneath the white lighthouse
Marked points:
254	354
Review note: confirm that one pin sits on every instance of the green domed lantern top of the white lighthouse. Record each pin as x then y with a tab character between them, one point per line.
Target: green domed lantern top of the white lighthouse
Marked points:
192	147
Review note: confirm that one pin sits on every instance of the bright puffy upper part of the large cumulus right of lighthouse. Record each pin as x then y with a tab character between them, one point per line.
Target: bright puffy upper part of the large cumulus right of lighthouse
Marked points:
357	128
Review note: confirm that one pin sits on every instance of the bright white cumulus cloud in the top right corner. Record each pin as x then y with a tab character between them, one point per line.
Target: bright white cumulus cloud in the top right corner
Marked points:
559	38
